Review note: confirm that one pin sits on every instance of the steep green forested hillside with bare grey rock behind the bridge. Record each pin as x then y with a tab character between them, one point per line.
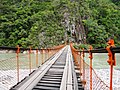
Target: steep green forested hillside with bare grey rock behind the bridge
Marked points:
44	23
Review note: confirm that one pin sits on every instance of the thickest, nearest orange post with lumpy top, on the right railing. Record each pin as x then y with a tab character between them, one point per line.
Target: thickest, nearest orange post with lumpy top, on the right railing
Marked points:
111	60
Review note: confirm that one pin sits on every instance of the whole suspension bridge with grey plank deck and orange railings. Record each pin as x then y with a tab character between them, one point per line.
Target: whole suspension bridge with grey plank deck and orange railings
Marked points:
58	68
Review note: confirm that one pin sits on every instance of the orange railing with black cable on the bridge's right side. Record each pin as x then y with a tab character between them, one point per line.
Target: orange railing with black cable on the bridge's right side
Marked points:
89	78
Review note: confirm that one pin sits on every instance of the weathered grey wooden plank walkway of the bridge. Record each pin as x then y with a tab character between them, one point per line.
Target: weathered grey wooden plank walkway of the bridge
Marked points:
58	73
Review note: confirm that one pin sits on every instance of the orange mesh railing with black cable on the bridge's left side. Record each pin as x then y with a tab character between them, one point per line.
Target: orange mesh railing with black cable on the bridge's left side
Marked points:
17	63
